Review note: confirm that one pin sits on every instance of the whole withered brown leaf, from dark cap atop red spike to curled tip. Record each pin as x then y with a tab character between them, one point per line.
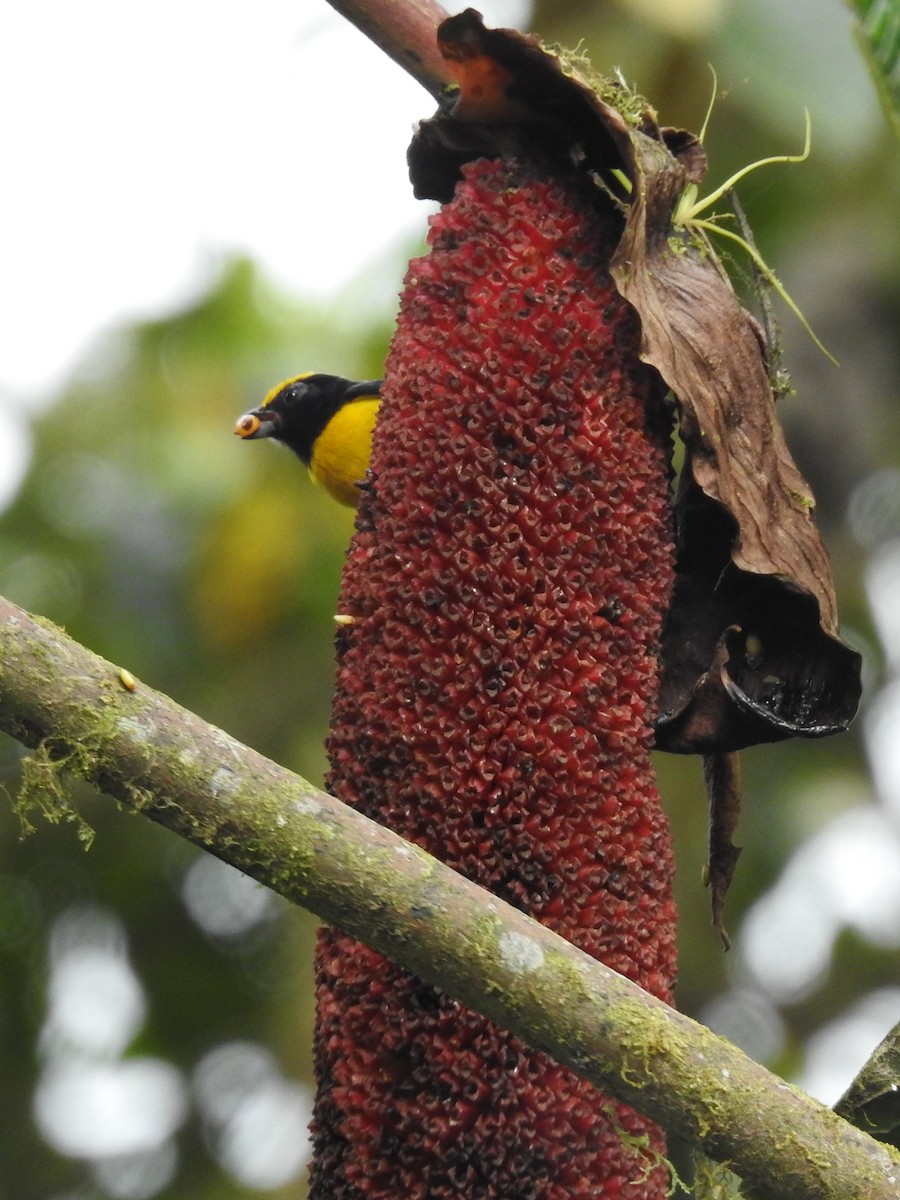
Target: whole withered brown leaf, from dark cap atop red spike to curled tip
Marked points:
751	649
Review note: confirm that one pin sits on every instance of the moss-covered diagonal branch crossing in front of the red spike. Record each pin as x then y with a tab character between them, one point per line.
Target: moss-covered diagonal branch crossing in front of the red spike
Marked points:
93	719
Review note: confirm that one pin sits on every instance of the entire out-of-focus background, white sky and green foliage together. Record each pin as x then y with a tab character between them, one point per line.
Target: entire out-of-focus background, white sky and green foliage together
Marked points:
199	202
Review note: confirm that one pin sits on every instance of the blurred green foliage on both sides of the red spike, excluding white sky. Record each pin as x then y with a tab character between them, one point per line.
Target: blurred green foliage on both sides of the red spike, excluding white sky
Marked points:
211	568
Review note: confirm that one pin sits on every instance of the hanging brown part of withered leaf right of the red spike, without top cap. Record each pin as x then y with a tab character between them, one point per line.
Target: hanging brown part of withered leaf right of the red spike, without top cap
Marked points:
754	577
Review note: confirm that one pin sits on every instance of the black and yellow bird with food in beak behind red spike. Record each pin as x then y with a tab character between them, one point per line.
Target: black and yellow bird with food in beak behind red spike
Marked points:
328	422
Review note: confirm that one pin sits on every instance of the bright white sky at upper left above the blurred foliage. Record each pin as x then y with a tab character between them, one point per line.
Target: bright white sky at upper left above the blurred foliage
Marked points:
142	143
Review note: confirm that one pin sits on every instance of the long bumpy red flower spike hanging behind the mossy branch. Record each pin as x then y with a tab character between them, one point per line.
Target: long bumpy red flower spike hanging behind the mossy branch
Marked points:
508	579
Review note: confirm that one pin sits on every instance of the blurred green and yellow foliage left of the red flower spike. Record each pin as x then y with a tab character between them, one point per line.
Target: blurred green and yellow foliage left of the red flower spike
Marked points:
211	569
